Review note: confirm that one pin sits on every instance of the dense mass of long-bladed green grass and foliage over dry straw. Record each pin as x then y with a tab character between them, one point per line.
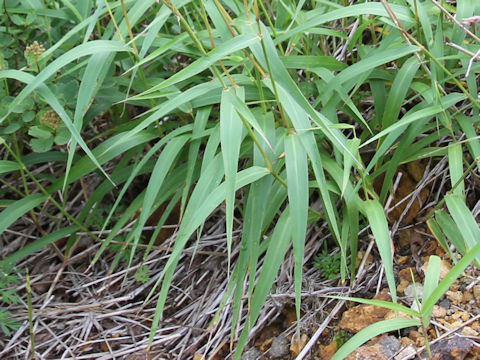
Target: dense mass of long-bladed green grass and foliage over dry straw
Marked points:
261	106
